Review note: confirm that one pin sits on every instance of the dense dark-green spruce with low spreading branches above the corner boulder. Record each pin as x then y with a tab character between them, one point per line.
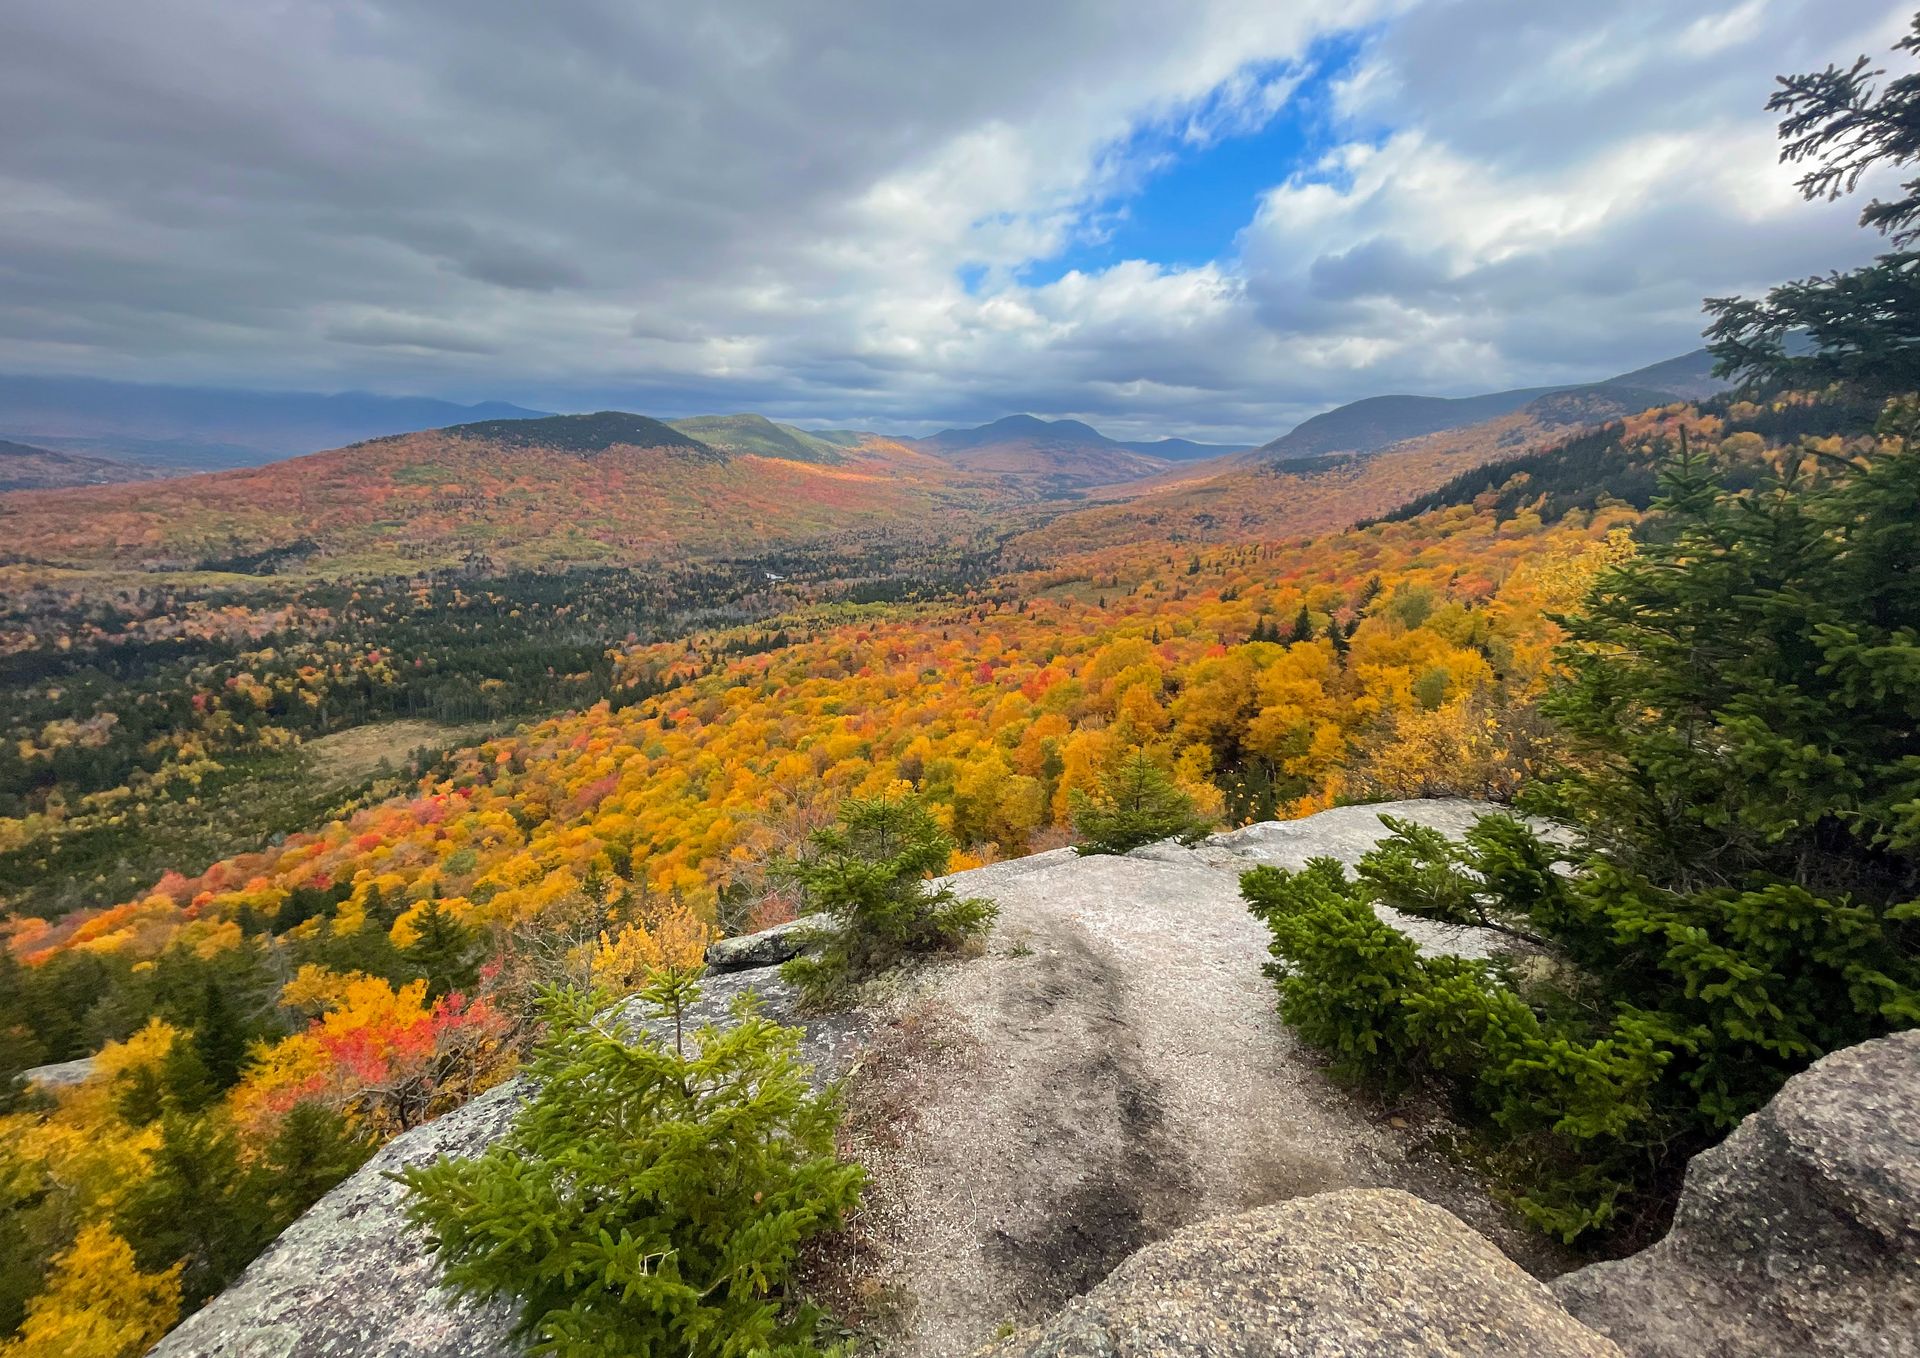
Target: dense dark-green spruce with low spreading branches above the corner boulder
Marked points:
1739	708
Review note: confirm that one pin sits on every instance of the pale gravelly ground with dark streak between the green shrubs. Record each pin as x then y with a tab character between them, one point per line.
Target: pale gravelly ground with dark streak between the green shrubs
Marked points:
1109	1073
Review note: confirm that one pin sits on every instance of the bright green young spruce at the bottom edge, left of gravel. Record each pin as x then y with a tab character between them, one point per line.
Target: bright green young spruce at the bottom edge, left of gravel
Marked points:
654	1194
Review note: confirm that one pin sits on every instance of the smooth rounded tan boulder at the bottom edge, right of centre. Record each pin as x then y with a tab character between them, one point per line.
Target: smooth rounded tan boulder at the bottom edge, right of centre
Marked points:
1360	1274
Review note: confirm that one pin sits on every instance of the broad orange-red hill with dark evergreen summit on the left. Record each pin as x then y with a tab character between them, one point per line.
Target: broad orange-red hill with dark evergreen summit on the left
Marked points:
556	491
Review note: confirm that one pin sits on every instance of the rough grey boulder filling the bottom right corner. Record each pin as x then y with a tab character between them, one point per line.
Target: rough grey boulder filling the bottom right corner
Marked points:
1796	1236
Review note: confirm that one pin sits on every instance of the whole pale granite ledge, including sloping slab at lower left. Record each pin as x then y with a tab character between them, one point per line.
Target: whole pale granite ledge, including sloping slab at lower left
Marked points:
1109	1073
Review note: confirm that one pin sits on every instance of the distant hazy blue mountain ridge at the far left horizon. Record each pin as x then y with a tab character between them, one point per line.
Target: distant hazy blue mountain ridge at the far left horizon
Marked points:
204	427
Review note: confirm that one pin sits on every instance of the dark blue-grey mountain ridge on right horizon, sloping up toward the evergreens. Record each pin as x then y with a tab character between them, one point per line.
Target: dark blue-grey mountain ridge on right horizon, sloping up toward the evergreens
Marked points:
1374	424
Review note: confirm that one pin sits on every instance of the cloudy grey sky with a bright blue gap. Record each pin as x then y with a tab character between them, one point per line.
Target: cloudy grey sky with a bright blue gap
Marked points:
1203	218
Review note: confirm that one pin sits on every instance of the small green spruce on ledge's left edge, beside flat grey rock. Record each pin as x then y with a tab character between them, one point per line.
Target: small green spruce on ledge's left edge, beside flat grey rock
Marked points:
869	875
